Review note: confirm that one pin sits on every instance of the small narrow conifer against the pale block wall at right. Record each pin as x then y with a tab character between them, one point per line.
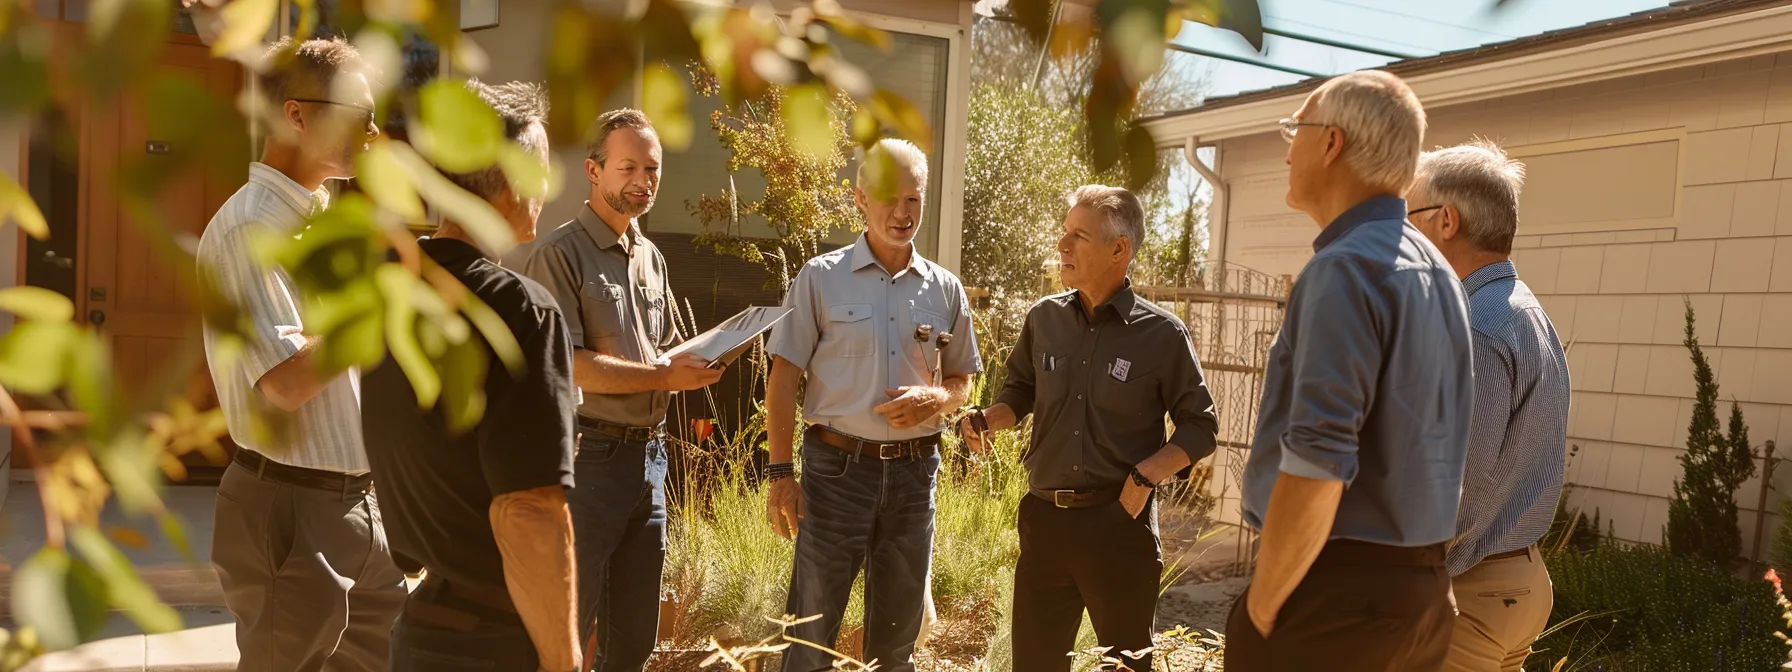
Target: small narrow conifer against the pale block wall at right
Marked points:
1703	513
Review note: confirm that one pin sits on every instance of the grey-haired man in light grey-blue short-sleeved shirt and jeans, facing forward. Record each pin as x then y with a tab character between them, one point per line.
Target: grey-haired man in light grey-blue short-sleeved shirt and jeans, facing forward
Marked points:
874	408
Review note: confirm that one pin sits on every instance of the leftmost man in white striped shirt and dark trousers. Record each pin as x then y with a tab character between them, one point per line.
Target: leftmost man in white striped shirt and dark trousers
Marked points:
298	542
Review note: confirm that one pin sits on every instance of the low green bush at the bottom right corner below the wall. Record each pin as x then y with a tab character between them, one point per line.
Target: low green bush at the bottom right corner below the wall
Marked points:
1642	608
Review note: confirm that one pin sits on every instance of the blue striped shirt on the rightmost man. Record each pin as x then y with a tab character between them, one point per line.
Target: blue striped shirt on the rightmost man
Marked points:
1515	451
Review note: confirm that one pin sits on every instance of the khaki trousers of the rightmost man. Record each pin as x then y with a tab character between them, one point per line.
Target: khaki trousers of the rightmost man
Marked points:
1503	608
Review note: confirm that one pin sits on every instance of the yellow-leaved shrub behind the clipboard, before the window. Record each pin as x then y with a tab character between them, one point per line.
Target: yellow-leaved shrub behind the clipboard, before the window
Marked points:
806	198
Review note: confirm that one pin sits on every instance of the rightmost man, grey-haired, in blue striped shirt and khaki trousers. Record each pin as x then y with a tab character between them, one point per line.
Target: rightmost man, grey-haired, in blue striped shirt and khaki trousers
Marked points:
1465	200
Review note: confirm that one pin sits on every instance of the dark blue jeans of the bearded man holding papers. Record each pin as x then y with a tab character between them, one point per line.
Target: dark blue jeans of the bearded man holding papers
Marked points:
619	524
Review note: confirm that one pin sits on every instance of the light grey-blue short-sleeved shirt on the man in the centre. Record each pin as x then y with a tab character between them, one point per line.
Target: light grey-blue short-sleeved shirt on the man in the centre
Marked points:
852	332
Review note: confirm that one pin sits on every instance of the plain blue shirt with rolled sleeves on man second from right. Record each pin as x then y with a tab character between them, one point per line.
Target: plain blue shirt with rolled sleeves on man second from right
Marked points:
1370	383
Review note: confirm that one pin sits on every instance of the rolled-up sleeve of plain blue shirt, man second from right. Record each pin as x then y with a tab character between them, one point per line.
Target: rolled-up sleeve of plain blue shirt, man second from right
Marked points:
1334	375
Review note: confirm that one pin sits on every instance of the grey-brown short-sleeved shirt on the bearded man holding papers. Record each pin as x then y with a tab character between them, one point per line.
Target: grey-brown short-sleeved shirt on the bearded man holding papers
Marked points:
617	302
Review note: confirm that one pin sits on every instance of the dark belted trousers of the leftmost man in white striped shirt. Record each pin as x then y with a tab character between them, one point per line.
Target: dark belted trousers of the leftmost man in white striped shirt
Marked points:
307	573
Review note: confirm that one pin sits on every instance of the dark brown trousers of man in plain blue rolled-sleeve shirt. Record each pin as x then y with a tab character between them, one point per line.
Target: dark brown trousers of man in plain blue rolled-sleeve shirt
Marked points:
1361	608
